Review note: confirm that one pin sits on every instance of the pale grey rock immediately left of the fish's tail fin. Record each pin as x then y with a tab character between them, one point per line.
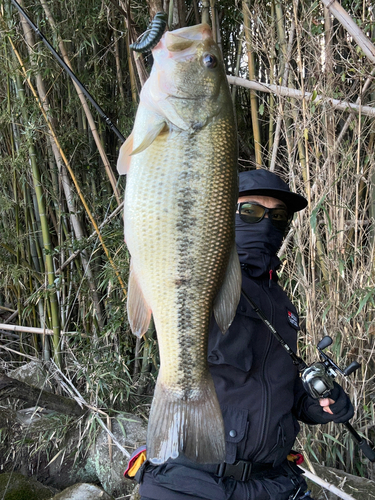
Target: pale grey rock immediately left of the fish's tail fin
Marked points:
130	432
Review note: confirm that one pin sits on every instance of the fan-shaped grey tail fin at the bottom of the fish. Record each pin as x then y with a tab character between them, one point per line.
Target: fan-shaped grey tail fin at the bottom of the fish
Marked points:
192	426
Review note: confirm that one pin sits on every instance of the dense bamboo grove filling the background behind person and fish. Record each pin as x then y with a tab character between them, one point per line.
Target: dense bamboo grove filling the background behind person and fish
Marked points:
63	262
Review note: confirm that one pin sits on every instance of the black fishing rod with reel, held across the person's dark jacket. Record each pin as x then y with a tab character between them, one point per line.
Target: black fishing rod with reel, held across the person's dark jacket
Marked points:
318	378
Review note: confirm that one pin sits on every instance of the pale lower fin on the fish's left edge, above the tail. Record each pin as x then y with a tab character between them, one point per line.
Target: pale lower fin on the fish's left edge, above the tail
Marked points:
139	313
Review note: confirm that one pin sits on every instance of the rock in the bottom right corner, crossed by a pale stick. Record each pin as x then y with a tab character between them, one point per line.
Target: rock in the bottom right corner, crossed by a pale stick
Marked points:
357	487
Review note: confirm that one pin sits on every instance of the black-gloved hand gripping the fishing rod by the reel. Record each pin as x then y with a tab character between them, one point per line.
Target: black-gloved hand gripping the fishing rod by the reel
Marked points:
342	408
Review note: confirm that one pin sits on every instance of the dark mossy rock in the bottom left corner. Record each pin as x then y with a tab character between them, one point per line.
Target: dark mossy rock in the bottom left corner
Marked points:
15	486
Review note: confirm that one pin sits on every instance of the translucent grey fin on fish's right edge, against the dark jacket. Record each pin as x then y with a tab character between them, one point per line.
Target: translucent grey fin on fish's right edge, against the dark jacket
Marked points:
228	297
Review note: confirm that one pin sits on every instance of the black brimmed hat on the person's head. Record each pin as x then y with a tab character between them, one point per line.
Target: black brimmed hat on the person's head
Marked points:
267	183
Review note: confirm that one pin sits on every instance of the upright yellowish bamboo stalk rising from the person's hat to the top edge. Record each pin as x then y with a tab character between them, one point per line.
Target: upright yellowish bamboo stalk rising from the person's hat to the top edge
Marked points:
253	96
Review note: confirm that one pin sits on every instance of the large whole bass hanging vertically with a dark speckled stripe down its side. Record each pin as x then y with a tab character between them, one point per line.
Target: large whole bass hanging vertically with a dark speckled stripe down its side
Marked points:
179	212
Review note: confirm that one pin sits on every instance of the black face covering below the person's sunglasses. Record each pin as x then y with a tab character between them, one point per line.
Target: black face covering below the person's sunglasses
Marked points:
257	246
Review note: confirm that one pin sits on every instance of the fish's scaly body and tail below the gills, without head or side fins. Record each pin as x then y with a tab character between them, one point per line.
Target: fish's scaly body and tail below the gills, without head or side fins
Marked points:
179	228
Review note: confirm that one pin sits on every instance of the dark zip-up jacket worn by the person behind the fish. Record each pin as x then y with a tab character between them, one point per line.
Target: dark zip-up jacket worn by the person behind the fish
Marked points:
257	384
